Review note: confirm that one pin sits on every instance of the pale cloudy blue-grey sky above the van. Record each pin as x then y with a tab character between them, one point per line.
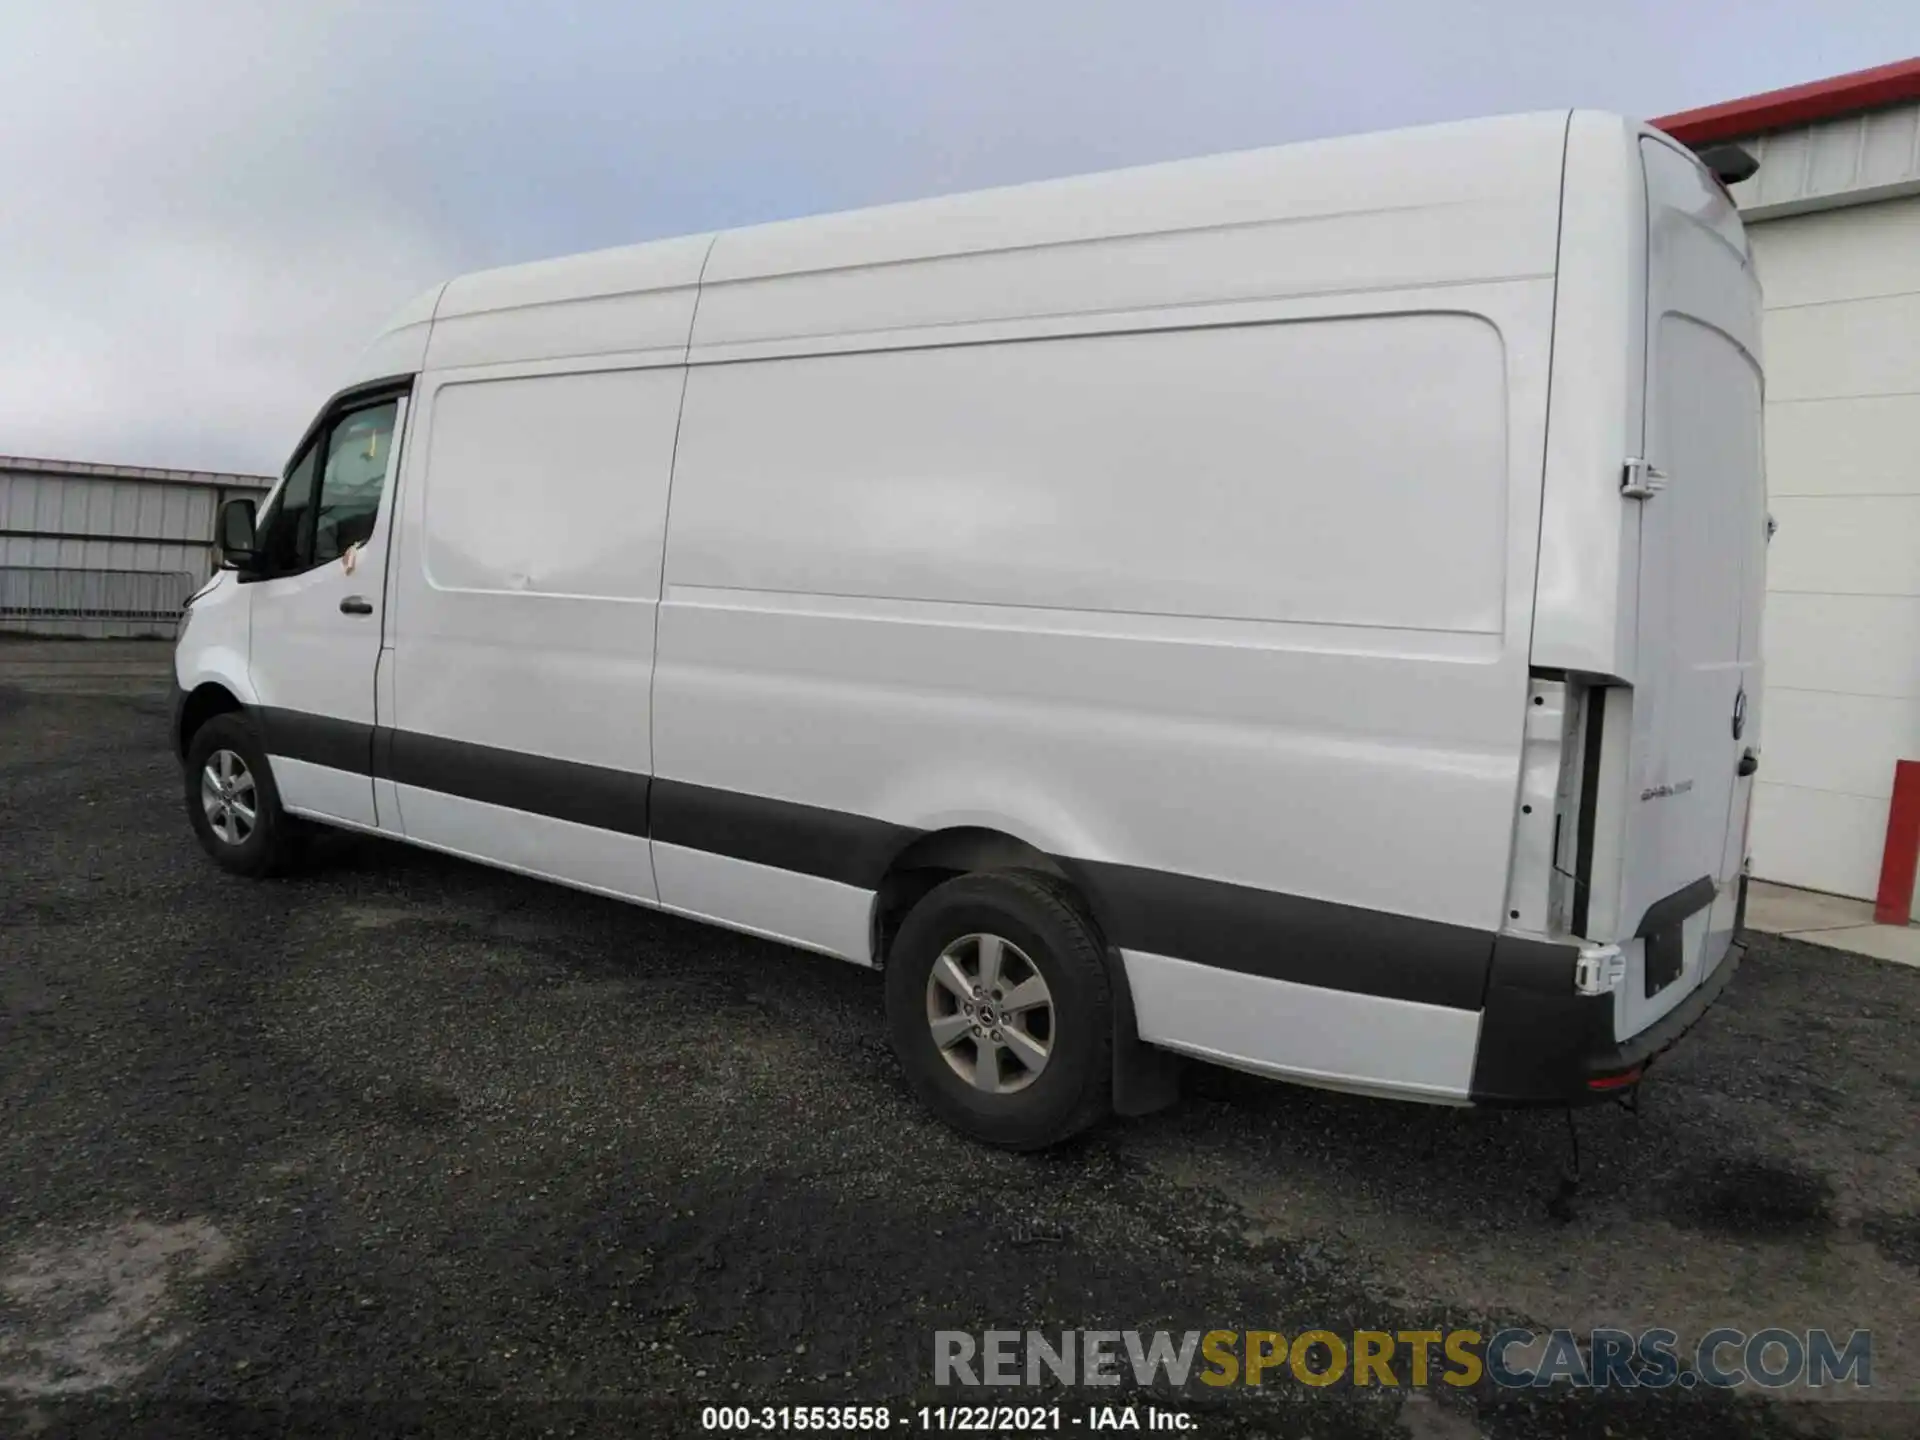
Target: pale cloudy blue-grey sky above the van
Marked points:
210	206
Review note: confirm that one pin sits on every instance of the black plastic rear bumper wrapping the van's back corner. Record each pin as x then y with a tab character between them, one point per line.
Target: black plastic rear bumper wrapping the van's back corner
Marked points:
1545	1045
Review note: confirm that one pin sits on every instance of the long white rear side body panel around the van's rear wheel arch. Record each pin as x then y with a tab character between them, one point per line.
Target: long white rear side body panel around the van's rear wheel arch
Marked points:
1228	617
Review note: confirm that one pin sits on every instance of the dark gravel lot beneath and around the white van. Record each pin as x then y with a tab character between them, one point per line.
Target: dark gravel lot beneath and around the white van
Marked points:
412	1143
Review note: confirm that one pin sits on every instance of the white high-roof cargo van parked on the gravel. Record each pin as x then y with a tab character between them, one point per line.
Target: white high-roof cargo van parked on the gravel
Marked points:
1295	610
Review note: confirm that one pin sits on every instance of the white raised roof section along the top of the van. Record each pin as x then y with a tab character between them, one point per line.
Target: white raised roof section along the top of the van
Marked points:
1470	203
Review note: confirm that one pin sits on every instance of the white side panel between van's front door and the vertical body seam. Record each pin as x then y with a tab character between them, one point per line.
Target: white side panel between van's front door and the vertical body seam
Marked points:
523	621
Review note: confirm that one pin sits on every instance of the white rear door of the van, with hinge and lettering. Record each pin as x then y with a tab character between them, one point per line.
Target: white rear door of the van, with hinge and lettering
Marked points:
1702	552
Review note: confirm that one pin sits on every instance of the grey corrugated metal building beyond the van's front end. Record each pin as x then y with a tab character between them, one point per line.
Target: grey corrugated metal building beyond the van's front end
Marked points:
107	550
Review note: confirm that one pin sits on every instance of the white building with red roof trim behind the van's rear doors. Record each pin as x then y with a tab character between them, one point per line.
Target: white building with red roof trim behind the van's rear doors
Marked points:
1835	220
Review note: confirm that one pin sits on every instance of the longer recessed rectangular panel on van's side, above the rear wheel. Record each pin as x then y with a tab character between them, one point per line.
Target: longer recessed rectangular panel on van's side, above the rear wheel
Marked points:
1341	475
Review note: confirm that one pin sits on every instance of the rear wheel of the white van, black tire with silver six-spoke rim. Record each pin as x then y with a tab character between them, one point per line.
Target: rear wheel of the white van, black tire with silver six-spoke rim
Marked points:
1015	1078
